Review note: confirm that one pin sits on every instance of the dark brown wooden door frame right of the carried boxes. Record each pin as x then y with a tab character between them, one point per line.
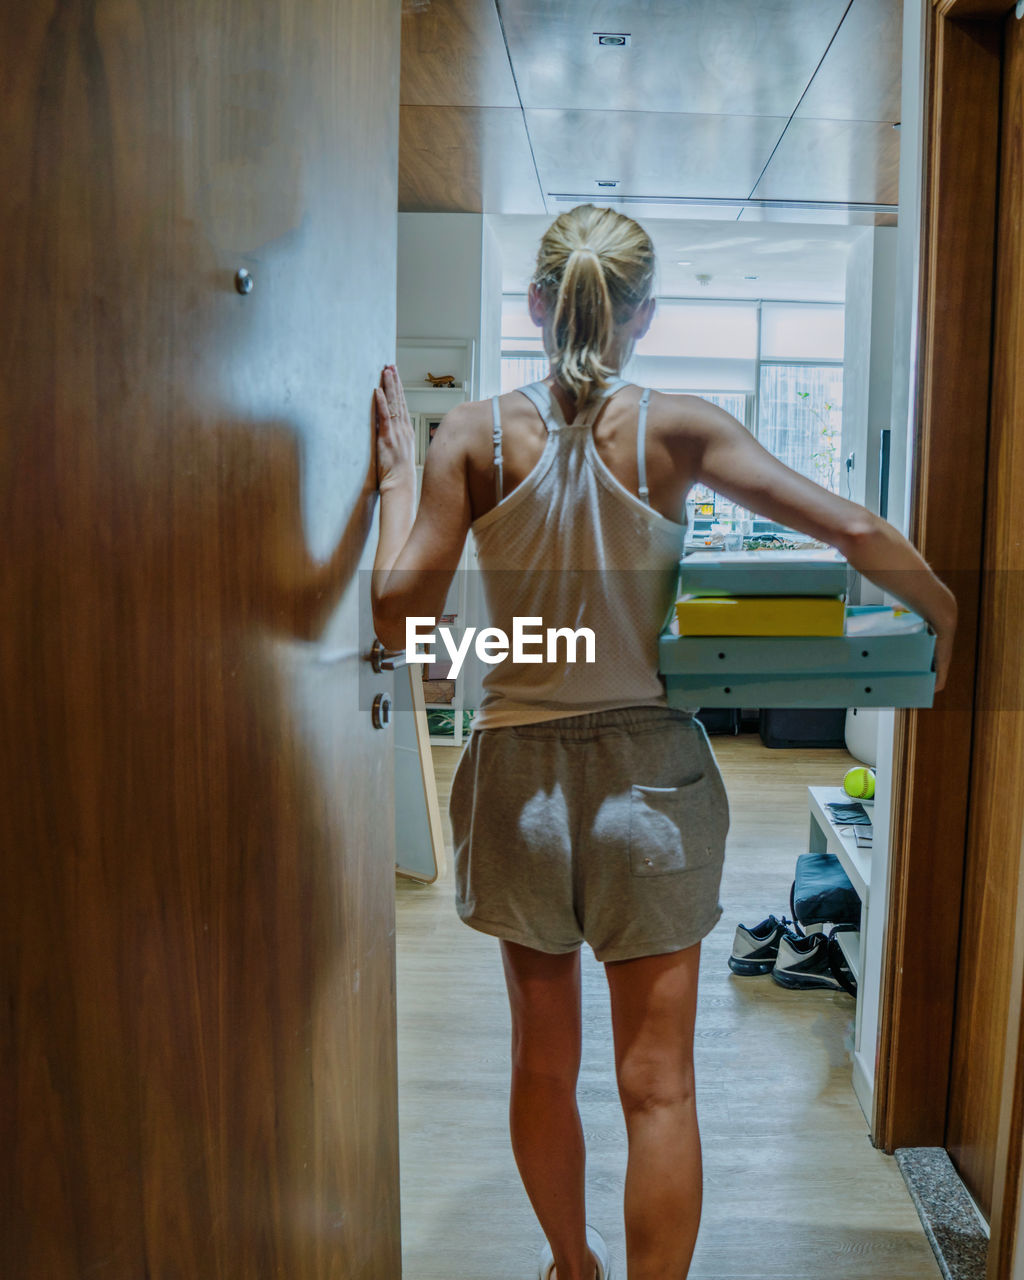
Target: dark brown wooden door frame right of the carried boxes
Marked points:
930	825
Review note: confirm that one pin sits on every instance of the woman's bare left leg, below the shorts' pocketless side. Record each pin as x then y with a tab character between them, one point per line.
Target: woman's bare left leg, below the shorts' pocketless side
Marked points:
547	1135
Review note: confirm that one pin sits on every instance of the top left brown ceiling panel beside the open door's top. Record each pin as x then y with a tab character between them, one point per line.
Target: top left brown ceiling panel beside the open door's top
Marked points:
454	54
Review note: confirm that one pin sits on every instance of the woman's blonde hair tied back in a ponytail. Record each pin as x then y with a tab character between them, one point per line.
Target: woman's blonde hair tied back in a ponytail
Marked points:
595	269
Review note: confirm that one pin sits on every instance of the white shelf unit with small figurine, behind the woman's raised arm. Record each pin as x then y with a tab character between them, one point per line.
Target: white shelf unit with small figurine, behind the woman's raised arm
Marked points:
440	356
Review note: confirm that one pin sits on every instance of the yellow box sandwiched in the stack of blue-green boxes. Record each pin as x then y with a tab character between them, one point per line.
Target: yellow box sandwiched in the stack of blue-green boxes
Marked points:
761	616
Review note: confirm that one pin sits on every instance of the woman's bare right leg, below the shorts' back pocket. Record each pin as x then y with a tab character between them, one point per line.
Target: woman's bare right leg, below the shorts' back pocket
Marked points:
653	1011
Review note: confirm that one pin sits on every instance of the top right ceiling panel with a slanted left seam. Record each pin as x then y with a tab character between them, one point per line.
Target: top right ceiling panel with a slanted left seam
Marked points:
860	77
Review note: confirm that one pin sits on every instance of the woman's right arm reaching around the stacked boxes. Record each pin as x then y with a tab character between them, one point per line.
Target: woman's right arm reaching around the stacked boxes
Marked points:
728	459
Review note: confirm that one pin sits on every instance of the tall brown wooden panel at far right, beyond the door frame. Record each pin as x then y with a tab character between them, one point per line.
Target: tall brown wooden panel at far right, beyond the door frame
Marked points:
985	1018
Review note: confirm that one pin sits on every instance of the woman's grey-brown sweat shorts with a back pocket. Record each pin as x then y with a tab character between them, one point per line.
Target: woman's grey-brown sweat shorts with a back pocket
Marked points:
607	829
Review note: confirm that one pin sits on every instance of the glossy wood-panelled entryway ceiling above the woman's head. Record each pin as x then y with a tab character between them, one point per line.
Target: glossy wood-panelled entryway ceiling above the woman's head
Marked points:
510	107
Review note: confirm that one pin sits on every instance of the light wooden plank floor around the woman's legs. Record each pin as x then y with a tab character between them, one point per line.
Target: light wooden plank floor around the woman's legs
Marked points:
793	1187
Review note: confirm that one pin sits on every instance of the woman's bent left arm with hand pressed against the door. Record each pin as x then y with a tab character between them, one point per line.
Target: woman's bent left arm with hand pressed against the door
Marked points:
418	551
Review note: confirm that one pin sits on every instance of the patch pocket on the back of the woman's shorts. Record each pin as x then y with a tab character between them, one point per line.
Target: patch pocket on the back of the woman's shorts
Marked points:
674	829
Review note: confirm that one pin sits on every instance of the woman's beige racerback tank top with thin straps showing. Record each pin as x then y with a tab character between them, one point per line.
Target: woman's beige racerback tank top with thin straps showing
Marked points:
572	546
